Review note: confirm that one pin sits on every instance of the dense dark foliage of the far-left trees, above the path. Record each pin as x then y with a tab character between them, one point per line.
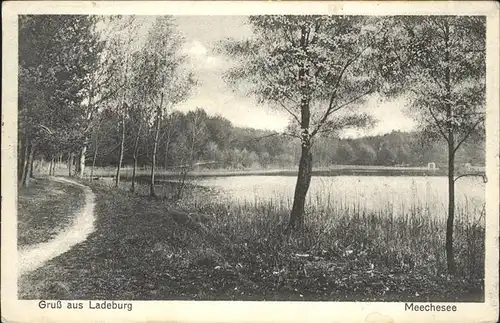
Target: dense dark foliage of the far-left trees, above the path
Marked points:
56	57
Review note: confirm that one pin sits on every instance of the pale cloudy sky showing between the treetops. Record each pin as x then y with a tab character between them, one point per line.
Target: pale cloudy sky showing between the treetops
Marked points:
202	33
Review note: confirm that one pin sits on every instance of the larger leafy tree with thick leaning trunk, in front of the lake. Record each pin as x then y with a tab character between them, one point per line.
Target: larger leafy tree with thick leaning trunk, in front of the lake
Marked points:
315	68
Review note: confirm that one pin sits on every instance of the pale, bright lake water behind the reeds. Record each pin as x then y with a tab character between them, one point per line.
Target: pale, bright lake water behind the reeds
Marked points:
398	194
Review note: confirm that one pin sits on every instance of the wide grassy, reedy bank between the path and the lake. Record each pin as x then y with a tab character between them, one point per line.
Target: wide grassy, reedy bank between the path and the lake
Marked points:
156	249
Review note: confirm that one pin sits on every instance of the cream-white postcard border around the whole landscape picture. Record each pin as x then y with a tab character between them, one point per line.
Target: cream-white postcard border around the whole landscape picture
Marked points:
207	311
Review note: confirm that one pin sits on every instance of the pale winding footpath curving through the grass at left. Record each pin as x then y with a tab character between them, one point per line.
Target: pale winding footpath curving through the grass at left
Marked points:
33	257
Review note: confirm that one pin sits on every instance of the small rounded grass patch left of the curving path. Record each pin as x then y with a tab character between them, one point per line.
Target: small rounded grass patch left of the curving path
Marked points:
44	208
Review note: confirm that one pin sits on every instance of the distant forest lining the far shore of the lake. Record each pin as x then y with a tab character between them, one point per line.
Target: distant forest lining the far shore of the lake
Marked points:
195	137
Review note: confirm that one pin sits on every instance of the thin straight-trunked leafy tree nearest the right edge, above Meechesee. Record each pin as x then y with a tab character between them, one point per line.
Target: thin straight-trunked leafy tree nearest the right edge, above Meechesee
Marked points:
440	62
